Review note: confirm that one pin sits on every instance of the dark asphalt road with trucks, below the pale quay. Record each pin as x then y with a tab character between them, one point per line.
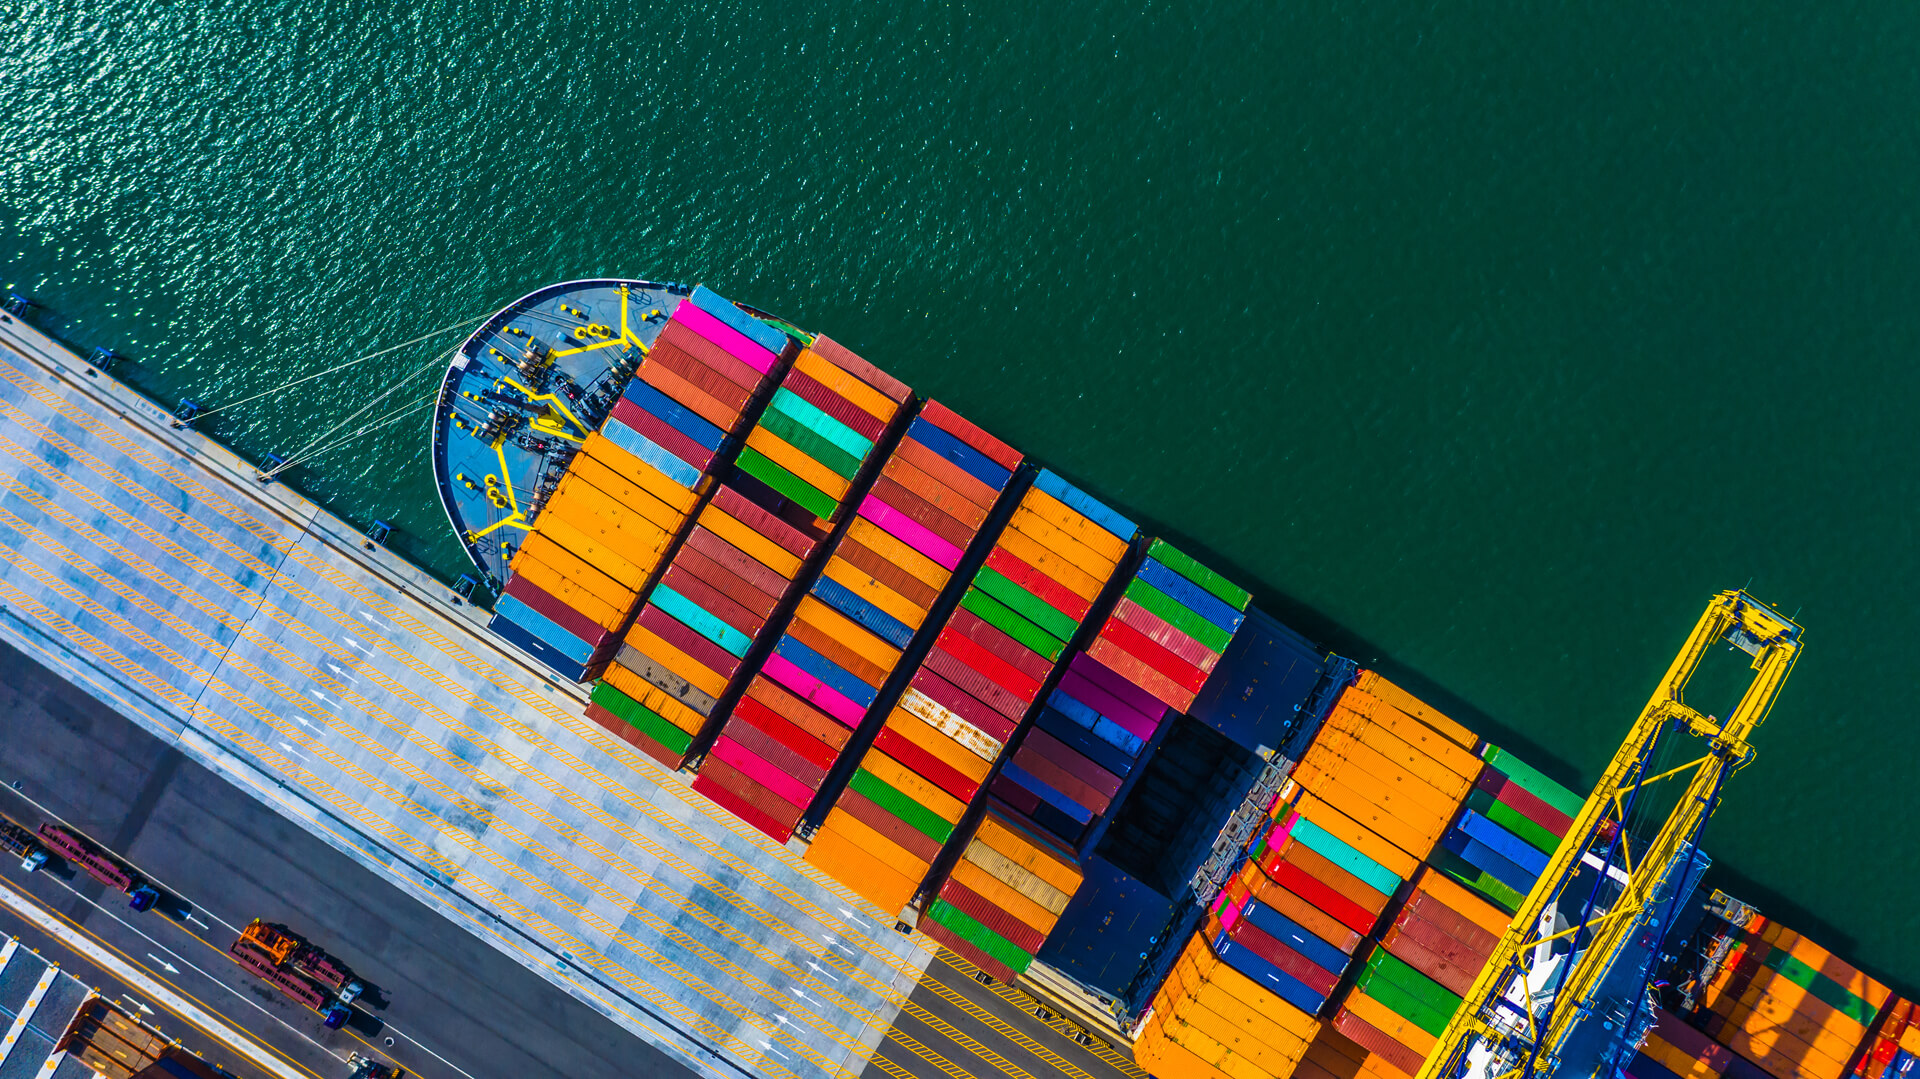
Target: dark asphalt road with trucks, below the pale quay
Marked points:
444	1005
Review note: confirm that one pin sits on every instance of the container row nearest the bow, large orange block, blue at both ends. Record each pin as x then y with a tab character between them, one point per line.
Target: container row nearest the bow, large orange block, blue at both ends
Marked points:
629	492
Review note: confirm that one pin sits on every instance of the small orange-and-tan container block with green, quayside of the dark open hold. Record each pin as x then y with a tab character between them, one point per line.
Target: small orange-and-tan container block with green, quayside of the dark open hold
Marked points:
1003	898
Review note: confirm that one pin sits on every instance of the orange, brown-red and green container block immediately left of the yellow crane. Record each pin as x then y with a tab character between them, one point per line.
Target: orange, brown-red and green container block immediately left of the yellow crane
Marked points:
1418	974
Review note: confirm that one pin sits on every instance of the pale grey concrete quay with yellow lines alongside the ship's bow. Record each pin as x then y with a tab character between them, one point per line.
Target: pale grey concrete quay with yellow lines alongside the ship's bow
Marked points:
352	694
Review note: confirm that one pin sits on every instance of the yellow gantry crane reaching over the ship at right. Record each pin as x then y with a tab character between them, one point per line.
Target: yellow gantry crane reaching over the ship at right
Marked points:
1516	1019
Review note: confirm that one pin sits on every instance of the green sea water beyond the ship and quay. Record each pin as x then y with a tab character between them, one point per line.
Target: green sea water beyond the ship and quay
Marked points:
1481	341
